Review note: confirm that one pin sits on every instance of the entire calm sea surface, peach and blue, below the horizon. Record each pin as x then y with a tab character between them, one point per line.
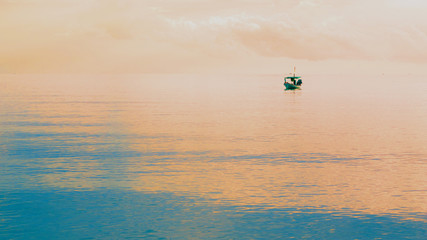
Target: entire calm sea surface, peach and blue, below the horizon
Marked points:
212	157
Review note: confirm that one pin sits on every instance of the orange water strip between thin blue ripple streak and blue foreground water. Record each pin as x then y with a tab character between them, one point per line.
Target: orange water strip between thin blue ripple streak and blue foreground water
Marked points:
389	186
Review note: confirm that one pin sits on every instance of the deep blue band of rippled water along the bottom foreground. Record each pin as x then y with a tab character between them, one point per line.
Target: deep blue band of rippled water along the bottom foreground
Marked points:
115	214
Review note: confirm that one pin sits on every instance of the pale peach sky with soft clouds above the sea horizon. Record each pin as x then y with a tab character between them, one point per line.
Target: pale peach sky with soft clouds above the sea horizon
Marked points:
237	36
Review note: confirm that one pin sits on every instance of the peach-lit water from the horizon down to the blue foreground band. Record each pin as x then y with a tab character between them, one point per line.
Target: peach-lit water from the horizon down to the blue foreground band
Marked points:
237	140
